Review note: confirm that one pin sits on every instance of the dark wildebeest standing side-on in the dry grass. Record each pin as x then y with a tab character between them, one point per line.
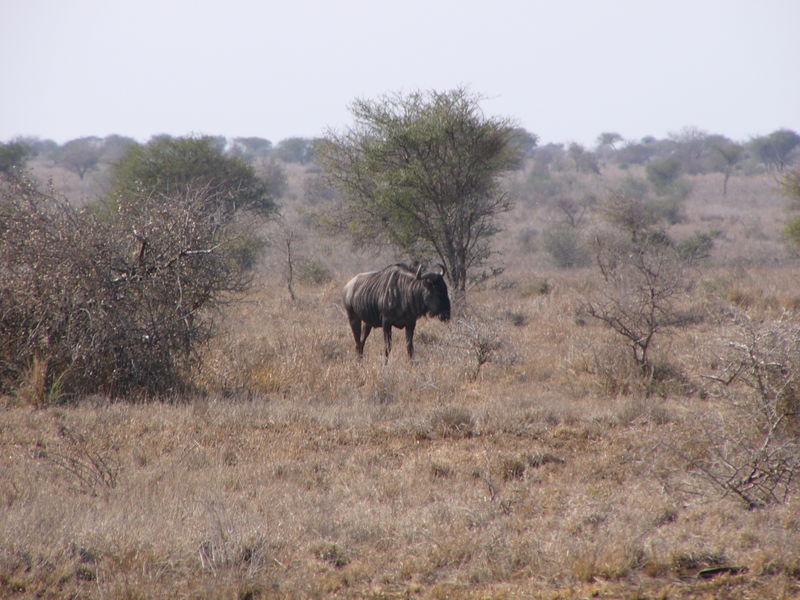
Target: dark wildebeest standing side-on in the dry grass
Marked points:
394	297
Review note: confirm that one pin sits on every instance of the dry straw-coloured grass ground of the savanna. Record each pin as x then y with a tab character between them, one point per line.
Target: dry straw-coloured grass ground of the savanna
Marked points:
545	472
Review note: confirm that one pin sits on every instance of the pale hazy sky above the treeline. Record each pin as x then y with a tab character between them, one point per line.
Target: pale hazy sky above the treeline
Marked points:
566	70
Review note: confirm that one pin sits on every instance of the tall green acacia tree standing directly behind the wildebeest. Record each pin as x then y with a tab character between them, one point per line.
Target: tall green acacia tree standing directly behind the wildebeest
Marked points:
421	173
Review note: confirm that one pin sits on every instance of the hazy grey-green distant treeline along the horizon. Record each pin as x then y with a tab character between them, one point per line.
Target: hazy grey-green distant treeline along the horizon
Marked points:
692	150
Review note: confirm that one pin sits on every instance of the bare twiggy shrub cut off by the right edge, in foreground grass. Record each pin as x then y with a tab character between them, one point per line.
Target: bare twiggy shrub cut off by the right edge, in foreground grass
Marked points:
756	455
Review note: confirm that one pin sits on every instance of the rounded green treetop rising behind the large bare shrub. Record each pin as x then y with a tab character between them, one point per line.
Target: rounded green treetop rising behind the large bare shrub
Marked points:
166	166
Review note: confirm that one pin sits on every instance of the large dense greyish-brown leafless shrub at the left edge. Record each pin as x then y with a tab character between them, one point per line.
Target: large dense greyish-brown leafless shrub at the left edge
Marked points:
112	299
